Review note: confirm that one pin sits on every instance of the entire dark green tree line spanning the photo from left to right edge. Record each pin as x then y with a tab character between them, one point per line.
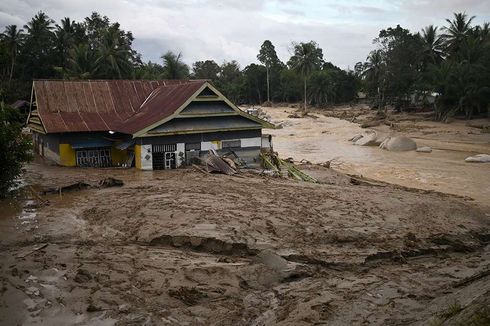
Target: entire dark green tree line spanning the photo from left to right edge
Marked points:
451	62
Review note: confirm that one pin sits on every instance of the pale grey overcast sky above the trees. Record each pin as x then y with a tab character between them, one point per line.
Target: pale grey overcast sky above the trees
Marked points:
235	29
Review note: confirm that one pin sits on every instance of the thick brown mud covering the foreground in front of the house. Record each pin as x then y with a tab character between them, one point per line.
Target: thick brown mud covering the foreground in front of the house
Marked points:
184	248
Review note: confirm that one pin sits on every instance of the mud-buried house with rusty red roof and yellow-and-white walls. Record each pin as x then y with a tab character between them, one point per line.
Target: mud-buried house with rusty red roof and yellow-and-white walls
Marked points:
146	124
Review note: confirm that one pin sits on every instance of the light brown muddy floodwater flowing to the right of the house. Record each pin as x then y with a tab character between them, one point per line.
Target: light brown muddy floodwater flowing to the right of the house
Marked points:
325	138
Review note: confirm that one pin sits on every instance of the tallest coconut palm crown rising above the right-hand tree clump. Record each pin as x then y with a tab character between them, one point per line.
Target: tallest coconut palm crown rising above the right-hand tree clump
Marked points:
457	31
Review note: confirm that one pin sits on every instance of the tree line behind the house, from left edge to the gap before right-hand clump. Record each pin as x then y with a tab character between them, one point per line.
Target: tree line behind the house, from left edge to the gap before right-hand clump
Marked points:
97	48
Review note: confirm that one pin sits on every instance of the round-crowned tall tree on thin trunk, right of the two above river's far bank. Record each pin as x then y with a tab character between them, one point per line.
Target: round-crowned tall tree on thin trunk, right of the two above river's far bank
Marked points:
307	58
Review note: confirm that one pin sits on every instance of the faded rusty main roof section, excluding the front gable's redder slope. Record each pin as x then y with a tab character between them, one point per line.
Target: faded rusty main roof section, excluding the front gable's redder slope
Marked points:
94	105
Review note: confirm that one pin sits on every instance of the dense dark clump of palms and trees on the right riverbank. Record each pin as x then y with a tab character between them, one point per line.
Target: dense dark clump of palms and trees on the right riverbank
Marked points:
451	63
